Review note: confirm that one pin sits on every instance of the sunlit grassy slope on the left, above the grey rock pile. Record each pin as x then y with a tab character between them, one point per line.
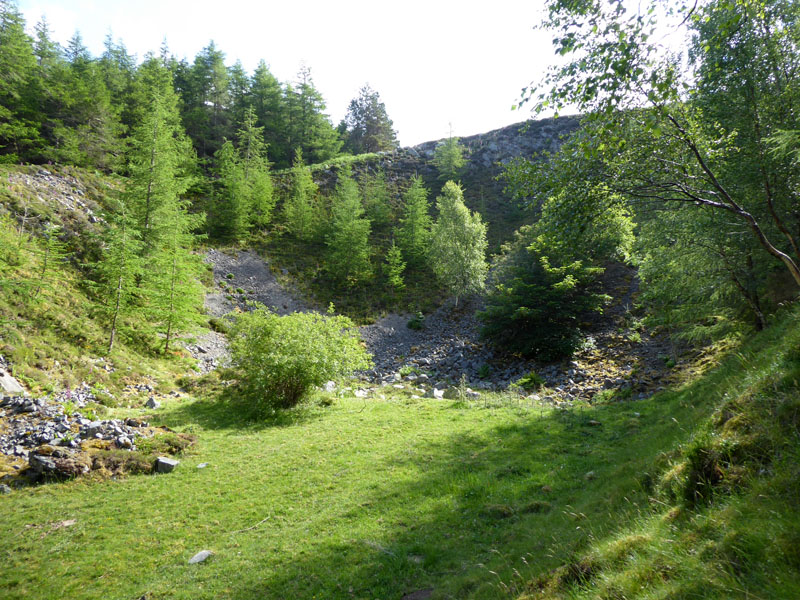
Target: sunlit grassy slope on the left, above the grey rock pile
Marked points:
53	338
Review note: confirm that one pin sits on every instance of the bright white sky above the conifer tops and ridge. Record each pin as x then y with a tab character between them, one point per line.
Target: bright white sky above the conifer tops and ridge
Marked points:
434	63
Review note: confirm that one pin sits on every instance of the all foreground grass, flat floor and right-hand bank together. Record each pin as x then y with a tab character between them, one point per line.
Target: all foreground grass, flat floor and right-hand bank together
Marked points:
377	498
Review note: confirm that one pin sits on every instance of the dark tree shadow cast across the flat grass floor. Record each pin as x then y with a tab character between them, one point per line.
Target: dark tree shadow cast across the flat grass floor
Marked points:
478	507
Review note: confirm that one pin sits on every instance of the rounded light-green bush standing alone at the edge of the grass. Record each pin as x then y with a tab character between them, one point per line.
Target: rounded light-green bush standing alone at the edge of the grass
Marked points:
280	359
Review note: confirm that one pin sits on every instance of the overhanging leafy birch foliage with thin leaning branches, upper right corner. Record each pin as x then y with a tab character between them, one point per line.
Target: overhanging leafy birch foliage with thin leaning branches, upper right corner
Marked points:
717	148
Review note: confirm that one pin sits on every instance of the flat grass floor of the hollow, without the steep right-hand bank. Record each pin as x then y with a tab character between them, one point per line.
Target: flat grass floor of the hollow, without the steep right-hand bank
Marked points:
361	499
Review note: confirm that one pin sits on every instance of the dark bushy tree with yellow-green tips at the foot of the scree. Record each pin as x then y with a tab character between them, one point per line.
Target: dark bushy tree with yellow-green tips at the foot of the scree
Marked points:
543	280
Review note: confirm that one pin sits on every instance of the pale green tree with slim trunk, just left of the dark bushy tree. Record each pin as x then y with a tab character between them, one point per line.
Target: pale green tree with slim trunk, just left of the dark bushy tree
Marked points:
458	244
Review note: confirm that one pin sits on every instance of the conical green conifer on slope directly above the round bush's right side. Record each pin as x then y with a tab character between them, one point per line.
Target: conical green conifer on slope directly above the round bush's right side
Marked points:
348	240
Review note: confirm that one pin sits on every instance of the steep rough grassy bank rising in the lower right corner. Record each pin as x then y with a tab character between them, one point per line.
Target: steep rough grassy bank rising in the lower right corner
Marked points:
723	521
